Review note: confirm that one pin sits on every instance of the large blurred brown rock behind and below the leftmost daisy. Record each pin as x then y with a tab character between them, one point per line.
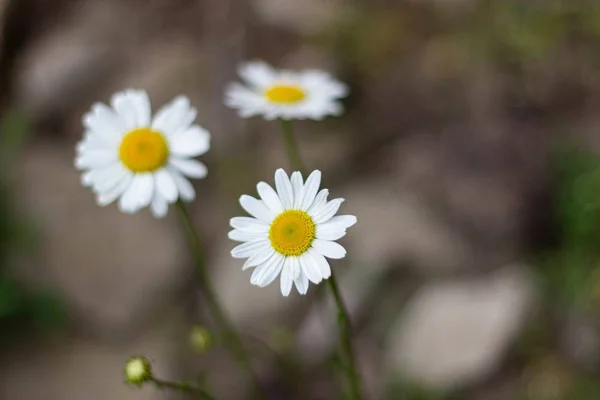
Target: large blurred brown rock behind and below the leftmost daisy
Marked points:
113	269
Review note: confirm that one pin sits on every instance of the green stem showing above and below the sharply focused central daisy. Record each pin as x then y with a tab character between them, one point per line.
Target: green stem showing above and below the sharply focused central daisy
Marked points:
344	323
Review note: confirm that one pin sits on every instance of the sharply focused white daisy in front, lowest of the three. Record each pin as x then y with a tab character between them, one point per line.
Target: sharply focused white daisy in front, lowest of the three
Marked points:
292	232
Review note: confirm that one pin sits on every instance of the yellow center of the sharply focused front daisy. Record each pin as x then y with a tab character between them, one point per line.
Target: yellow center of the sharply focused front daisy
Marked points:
292	232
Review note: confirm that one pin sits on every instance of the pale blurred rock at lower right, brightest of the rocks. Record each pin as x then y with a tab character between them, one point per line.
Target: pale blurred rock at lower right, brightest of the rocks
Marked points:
456	333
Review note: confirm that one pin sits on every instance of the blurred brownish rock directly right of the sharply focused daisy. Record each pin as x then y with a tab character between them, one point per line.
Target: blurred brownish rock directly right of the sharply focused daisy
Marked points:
394	226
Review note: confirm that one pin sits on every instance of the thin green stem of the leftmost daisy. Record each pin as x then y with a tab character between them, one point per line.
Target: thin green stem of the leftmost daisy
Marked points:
231	338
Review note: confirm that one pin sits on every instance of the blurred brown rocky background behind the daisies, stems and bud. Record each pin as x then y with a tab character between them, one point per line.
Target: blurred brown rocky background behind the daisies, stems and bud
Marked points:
469	153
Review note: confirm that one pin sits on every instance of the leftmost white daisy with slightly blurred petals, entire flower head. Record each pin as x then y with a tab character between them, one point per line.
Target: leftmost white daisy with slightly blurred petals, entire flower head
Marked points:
142	161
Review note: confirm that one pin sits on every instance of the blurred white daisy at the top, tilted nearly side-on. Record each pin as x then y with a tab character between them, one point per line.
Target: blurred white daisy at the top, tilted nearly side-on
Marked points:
284	94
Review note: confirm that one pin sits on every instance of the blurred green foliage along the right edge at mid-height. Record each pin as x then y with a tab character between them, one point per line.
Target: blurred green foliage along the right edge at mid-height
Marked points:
571	270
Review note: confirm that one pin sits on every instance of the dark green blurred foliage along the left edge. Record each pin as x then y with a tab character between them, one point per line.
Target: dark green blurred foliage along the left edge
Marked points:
21	309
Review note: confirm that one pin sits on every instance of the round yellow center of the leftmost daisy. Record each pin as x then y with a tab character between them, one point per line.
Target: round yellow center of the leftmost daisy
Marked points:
144	150
